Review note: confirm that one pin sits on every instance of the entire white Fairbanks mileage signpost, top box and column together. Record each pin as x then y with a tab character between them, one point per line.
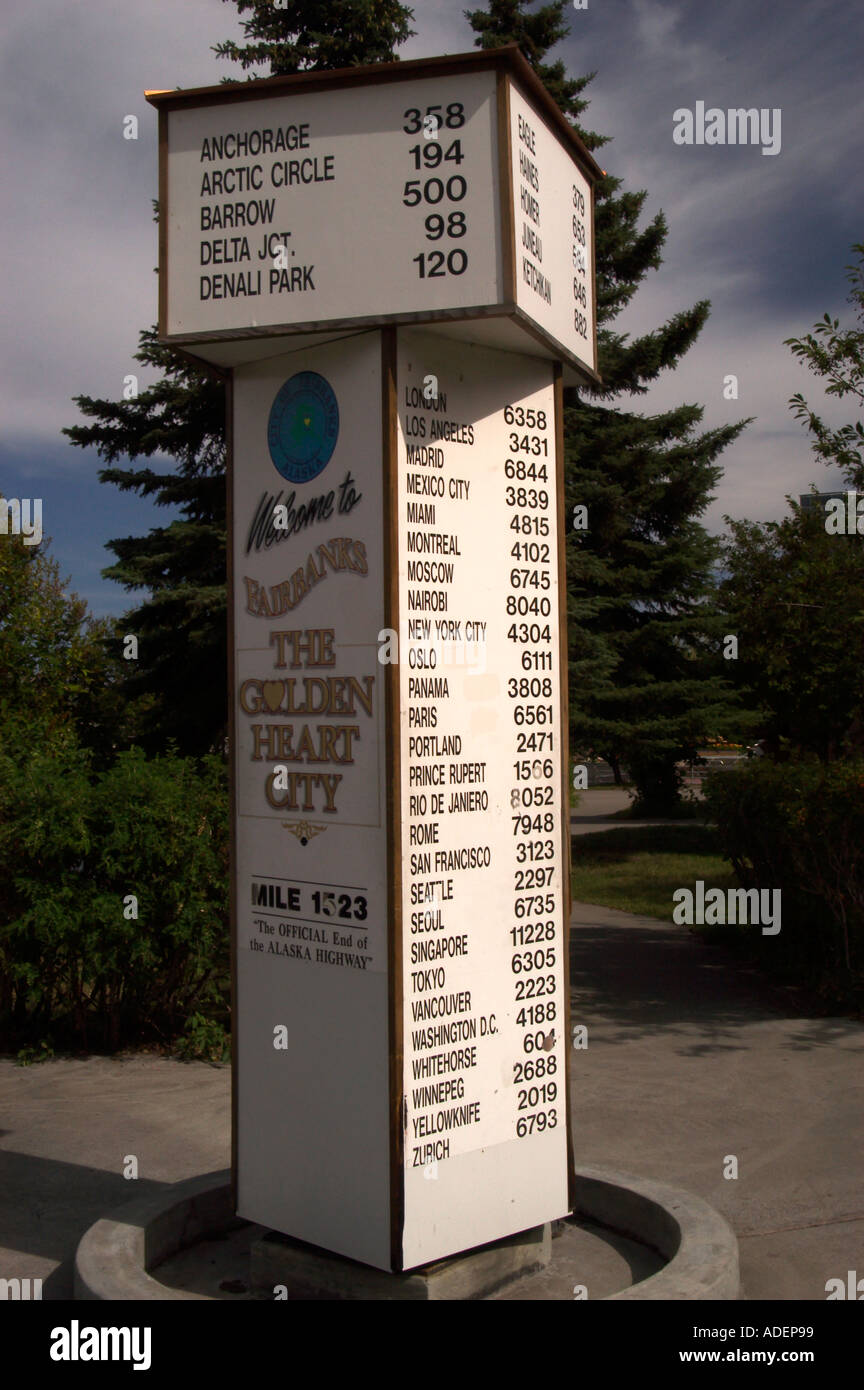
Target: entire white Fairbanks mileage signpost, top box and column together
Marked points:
395	266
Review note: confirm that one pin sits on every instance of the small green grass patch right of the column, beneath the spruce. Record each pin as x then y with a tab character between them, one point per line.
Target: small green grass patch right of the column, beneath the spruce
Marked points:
637	869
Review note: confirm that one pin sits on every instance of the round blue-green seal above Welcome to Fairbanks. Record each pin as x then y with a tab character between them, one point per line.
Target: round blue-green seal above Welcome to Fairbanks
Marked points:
304	427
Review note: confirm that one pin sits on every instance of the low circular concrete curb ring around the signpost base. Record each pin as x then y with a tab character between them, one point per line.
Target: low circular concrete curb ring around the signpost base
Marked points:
645	1227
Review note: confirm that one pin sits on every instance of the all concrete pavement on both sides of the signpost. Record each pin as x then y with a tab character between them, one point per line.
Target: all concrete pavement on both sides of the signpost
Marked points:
688	1061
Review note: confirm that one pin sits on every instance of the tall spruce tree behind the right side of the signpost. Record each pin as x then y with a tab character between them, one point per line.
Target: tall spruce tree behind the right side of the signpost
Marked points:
647	679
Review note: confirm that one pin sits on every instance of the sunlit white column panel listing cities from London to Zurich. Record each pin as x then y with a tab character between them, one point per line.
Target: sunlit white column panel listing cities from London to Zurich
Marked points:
484	949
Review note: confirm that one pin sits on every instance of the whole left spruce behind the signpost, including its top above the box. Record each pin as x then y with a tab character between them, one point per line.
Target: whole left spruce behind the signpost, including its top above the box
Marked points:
178	429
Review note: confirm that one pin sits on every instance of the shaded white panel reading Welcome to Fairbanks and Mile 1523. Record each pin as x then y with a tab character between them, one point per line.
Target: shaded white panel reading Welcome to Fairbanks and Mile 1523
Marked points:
312	907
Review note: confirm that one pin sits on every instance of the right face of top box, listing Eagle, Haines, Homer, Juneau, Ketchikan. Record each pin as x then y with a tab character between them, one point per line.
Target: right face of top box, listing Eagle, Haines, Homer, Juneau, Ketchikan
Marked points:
555	231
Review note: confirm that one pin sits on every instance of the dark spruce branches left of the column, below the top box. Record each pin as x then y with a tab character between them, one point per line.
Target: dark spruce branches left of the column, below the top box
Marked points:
178	679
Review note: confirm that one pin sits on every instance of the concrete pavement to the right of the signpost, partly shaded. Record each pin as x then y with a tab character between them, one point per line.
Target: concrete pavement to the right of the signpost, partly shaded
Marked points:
691	1060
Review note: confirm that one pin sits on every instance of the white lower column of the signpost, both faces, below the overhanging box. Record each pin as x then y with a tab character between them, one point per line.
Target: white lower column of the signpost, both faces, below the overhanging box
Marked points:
477	817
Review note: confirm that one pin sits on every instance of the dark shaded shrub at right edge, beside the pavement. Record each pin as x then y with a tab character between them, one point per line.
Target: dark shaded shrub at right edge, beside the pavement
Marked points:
799	828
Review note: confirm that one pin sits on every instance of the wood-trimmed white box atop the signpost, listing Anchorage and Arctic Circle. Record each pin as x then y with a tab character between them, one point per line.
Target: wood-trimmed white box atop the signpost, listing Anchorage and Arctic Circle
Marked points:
449	193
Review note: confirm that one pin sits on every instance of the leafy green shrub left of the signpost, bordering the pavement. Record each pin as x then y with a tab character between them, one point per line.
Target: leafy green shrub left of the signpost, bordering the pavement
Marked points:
77	847
